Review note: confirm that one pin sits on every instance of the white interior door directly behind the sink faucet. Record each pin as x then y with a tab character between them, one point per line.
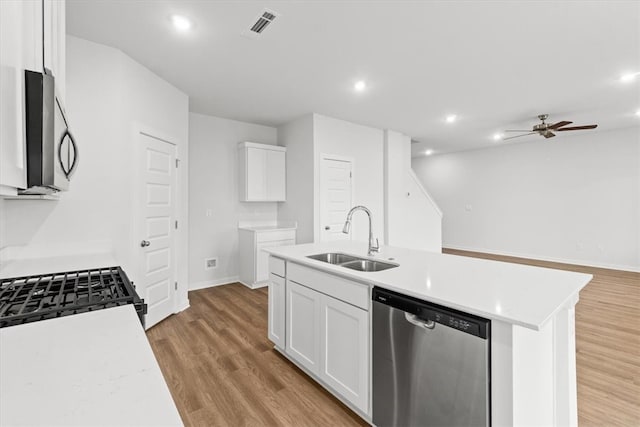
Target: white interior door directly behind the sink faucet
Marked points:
335	197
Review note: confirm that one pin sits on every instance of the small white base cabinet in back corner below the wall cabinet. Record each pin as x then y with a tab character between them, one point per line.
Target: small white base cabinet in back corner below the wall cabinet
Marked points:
254	262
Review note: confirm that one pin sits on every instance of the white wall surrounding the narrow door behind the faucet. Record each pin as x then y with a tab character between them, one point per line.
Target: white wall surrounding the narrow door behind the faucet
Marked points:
365	145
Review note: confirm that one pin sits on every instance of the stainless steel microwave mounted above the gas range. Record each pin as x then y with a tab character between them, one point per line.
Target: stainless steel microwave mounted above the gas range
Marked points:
51	151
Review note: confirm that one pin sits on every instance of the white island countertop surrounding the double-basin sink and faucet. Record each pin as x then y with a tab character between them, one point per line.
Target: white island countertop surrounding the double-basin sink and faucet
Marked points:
518	294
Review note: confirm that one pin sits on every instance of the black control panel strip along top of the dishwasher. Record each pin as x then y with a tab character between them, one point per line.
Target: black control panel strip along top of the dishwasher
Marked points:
428	311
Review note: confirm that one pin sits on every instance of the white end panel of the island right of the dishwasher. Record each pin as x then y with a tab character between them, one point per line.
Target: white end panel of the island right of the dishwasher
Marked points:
533	373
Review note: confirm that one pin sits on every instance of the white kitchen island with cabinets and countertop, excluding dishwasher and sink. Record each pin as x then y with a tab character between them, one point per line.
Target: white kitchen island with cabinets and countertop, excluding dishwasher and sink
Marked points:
531	309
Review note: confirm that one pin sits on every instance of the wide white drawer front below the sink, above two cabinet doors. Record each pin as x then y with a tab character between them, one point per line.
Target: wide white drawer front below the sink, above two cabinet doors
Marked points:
352	292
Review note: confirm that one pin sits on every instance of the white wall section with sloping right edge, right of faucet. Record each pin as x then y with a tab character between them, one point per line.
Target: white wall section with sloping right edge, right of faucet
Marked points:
412	218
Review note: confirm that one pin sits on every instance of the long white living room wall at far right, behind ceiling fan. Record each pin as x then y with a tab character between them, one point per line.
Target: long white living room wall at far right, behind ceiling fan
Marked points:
574	198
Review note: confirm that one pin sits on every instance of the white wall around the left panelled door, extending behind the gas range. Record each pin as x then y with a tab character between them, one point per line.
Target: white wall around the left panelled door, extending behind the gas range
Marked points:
107	94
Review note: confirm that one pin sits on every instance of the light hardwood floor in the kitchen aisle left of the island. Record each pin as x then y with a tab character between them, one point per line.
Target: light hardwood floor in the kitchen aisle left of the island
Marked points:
222	370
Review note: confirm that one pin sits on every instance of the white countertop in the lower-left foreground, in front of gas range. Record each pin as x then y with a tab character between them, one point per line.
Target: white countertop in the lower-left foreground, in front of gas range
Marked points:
88	369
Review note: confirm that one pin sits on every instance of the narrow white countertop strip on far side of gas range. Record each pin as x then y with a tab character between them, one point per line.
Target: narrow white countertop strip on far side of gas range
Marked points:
32	266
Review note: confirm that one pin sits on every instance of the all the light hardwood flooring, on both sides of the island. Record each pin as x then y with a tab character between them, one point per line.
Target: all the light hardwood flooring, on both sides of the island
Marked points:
222	370
